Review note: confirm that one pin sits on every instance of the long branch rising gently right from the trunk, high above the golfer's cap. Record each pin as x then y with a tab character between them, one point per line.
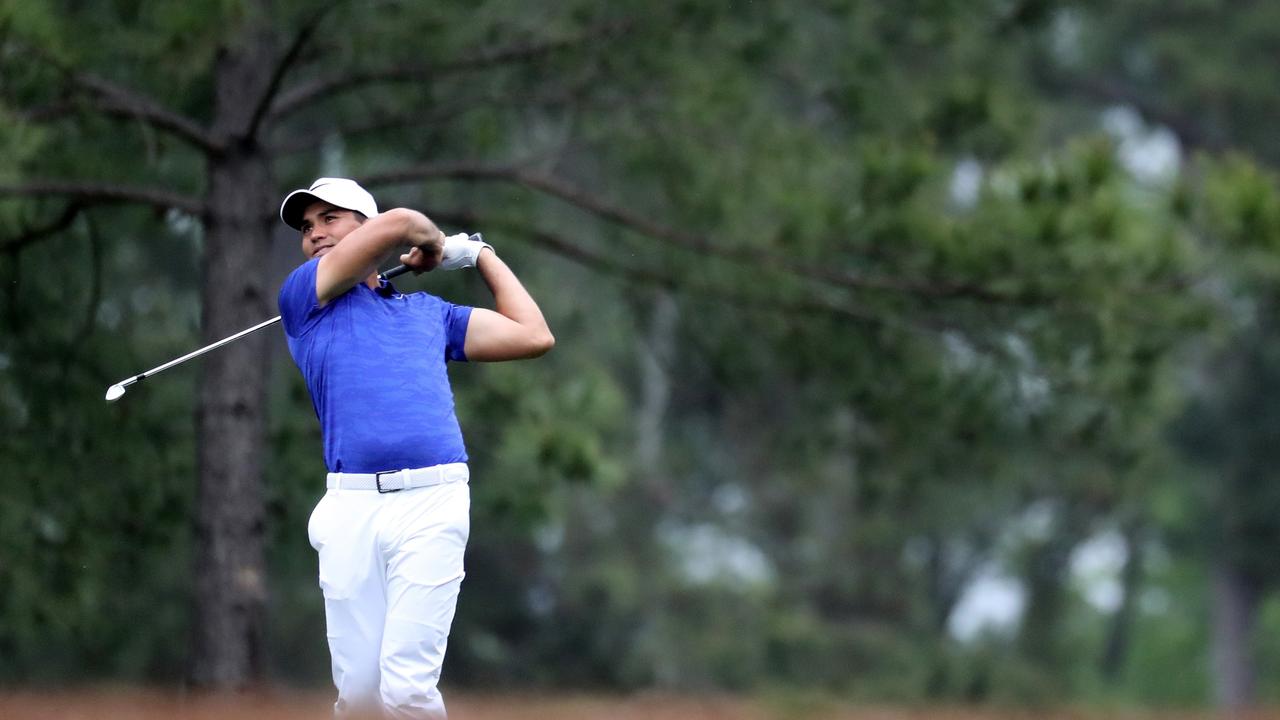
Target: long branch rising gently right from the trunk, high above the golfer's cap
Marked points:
300	97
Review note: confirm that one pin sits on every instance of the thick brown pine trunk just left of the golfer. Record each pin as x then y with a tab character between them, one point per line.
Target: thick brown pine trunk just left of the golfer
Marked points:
231	585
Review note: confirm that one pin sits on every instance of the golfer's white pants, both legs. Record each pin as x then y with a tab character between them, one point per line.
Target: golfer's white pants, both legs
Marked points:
391	567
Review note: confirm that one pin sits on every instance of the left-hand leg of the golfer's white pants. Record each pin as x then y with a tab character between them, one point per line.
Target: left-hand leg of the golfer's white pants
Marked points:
344	532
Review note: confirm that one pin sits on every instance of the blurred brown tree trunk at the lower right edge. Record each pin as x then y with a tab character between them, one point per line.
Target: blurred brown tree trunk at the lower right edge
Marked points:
1236	604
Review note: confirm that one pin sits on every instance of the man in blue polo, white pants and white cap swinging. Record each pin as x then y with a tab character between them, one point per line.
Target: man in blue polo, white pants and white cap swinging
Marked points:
392	528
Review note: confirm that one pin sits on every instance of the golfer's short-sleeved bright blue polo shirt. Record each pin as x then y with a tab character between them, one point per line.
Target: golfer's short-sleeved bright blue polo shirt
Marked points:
376	366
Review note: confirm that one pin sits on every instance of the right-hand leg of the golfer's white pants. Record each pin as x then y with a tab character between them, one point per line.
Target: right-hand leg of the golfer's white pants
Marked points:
427	541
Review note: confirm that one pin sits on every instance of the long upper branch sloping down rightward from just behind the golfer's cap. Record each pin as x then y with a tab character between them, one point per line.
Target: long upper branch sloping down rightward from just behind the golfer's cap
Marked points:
688	241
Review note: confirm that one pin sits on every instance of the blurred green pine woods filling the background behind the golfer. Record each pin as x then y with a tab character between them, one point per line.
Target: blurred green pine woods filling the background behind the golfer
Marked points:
917	352
